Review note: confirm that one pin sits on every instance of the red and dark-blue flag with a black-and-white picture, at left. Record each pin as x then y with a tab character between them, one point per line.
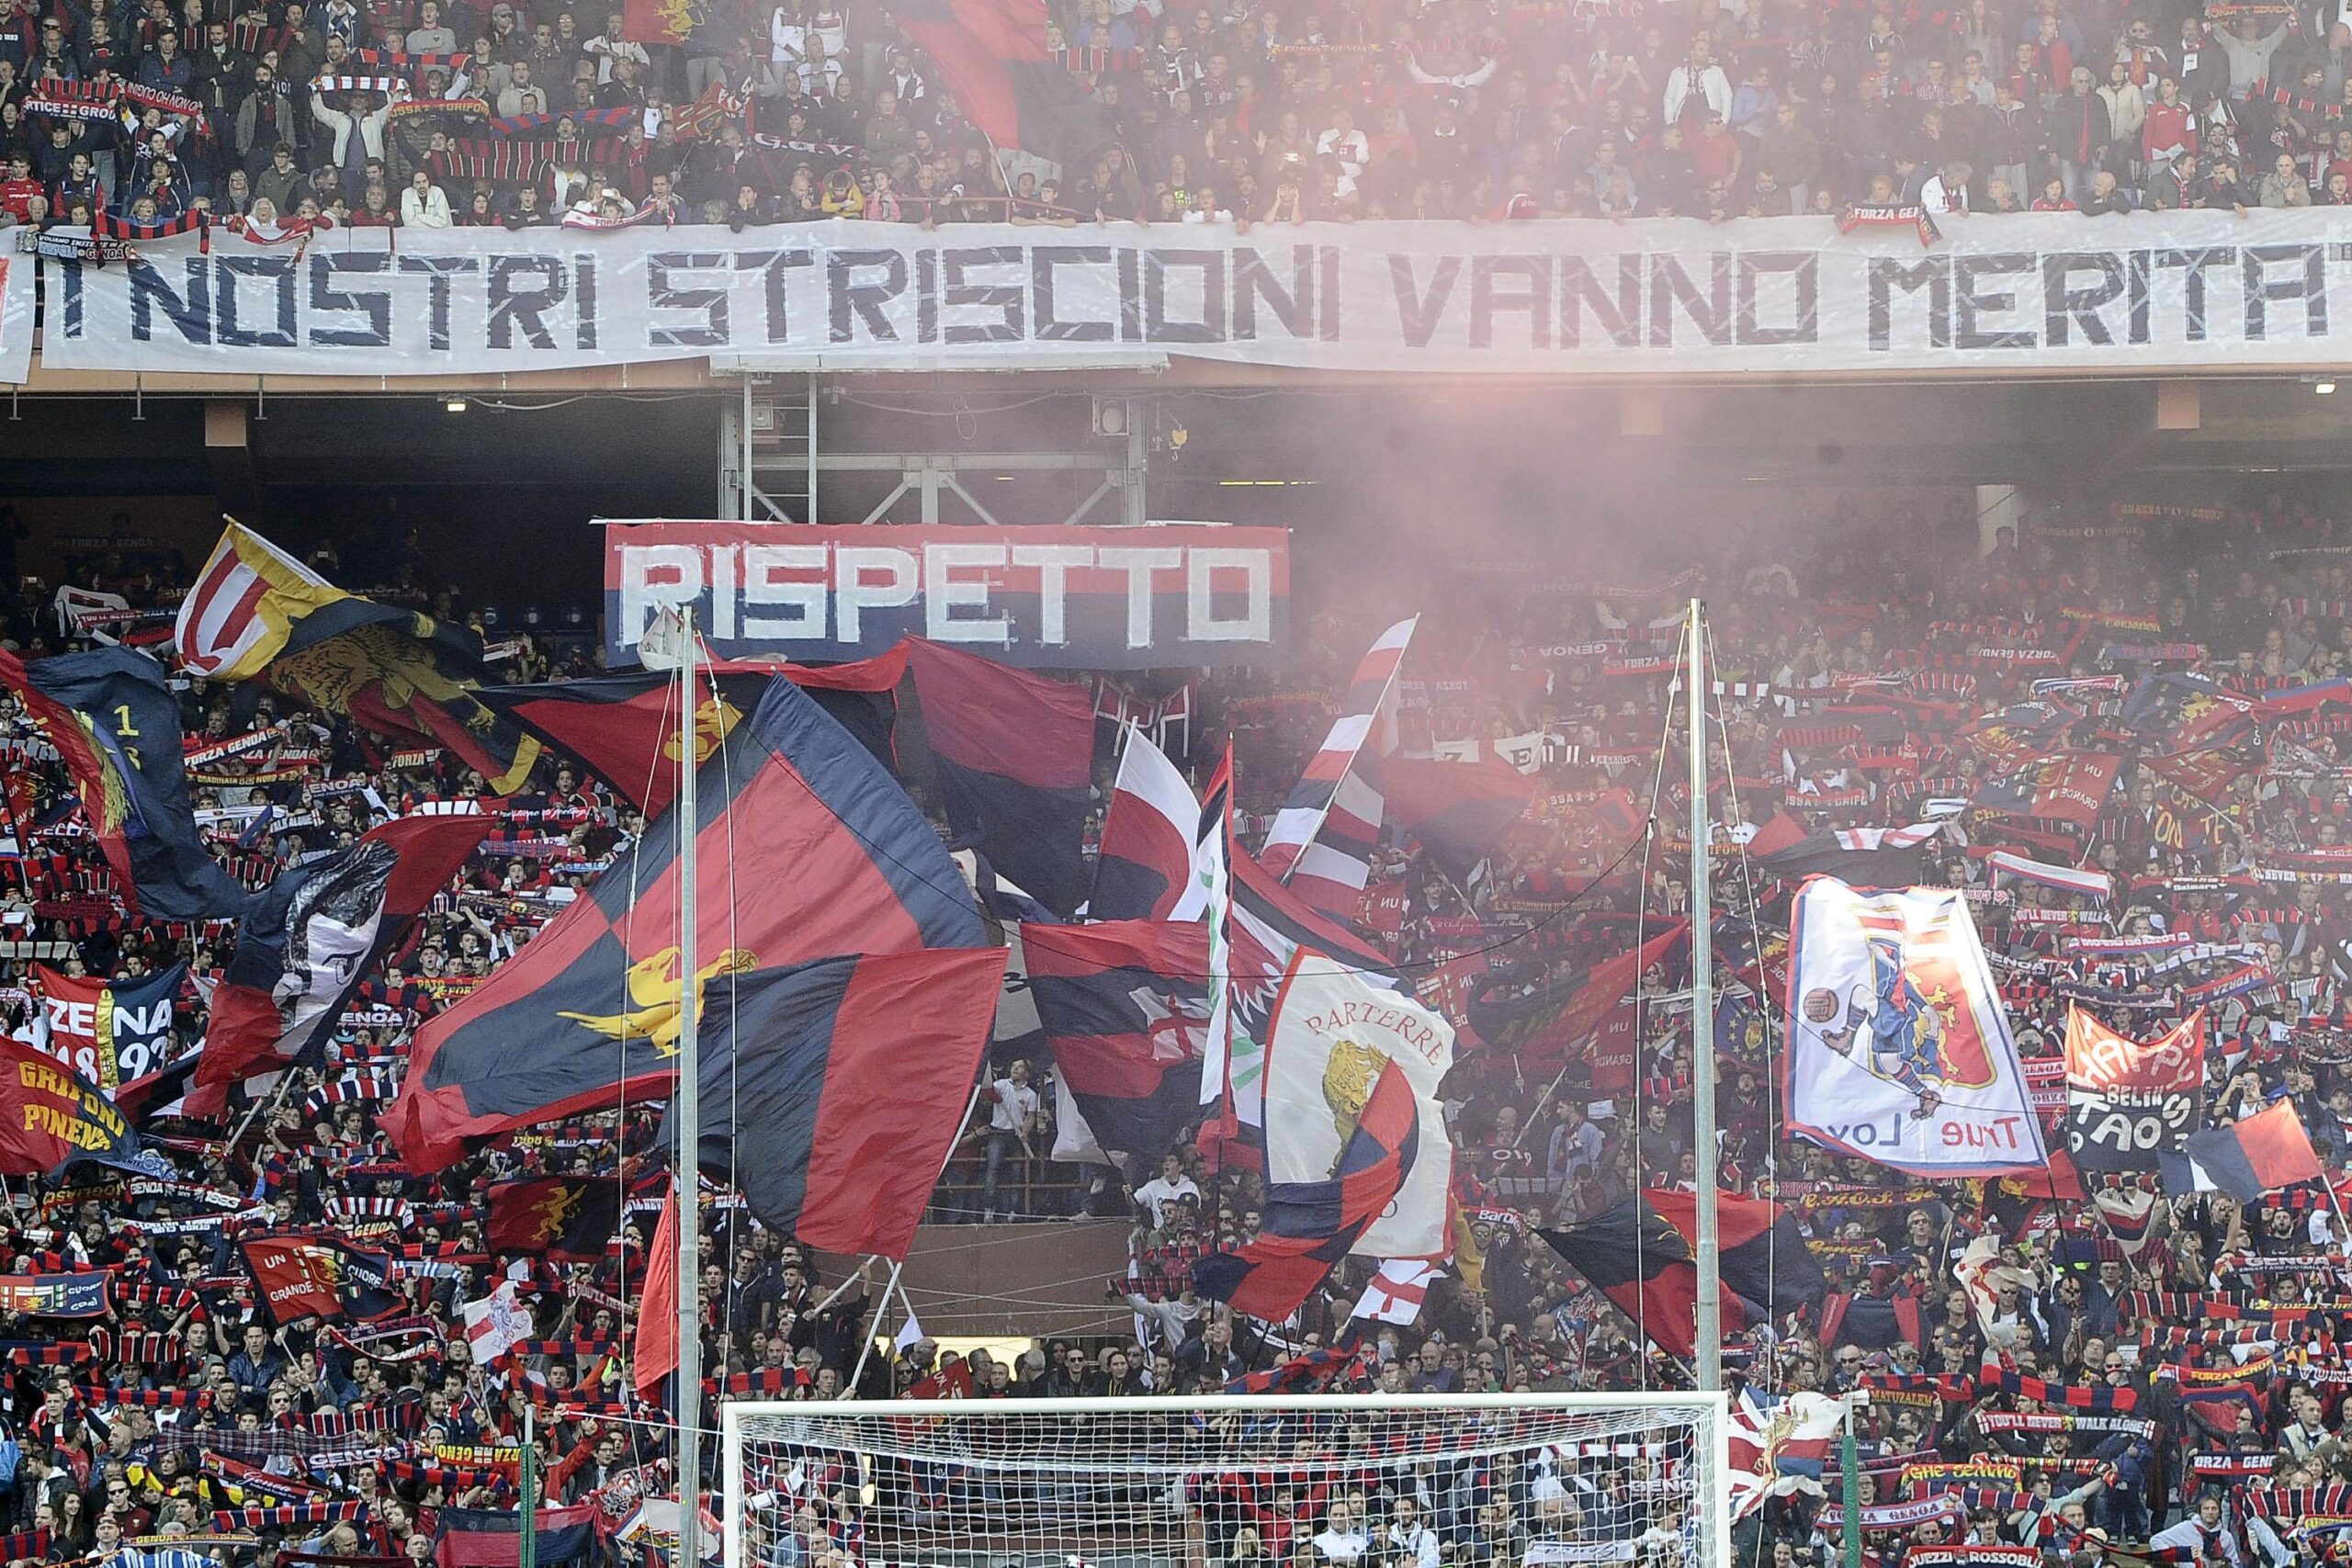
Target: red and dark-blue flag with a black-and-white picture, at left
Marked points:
314	937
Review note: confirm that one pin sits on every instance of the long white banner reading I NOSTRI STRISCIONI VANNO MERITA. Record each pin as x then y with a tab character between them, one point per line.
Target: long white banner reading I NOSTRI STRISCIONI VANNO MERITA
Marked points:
1546	297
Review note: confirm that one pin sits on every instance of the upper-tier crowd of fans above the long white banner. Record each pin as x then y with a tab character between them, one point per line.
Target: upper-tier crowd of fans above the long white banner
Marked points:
436	114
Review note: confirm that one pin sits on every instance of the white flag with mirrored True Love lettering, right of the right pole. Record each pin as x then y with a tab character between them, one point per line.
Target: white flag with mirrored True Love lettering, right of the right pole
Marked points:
1897	1040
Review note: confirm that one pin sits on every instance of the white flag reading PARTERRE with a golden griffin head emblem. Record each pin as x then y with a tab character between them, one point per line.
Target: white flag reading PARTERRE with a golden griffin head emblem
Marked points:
1330	1038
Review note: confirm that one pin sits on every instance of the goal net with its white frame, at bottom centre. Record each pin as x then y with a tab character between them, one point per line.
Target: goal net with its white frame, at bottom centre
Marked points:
1234	1482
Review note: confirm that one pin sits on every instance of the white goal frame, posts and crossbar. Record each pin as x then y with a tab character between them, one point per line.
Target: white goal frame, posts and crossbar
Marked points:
1709	1416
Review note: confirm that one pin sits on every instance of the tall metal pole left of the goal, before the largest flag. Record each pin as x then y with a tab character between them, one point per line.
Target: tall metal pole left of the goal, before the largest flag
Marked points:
686	1177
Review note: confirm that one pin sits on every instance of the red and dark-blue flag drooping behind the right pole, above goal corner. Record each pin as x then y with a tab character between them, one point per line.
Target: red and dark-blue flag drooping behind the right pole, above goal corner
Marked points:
1643	1257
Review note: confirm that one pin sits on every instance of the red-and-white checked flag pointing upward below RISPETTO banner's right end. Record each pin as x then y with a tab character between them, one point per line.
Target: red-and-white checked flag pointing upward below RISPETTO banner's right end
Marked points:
1328	829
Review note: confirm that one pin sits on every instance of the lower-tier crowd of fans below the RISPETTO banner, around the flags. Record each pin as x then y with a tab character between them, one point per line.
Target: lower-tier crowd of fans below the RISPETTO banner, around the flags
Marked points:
187	1412
